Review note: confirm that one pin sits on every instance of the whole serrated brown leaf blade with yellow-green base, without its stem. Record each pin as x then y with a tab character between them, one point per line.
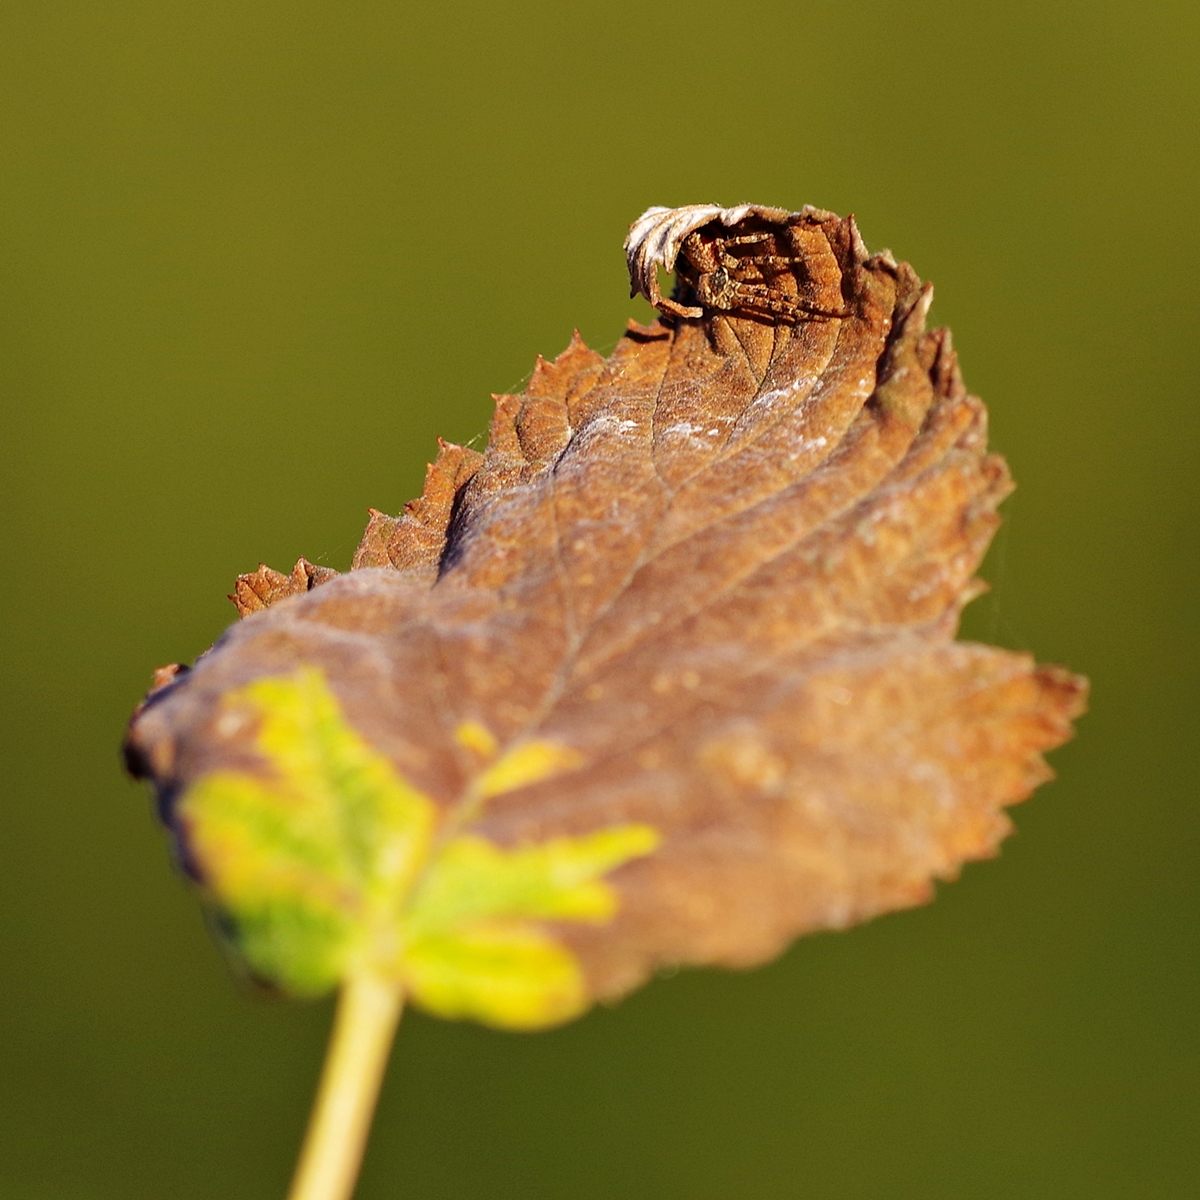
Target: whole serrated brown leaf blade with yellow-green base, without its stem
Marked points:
667	676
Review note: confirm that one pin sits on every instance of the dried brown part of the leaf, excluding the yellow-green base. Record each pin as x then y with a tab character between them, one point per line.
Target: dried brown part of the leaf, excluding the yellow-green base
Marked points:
724	567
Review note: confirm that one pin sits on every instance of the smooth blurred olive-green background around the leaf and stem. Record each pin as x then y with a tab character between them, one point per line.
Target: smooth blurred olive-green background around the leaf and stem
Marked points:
256	256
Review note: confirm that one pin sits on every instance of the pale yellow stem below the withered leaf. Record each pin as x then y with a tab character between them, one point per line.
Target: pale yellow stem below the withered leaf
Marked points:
364	1027
